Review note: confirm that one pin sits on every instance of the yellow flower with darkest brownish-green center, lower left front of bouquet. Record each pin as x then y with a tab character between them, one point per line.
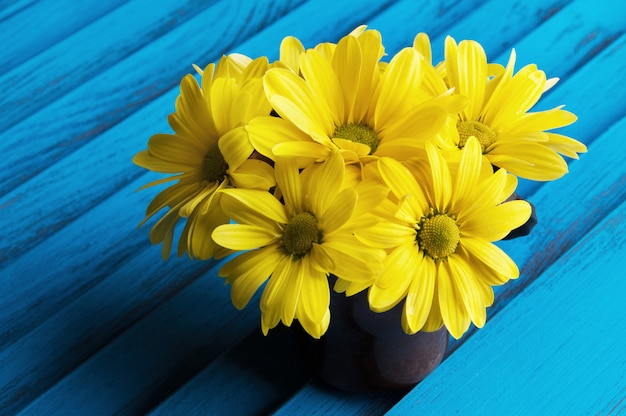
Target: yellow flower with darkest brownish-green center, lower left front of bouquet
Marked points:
296	244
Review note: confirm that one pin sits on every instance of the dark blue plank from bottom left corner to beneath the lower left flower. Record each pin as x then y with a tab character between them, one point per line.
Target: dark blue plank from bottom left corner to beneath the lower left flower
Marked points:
132	373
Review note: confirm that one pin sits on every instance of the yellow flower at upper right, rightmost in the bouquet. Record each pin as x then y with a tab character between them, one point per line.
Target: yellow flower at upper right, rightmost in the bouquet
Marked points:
498	114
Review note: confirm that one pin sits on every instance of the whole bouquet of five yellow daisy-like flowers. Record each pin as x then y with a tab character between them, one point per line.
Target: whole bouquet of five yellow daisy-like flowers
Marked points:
394	175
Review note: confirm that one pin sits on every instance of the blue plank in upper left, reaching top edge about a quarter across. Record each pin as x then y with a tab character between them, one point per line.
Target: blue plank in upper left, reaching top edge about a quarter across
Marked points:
68	64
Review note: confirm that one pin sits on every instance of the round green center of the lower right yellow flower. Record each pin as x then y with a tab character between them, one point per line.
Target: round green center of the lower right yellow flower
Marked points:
438	235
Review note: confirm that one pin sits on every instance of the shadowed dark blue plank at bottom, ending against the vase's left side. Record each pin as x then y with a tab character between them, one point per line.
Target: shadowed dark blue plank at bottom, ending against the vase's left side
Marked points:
245	380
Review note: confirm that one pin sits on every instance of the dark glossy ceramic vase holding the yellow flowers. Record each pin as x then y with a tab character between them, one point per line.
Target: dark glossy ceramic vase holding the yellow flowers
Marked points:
364	351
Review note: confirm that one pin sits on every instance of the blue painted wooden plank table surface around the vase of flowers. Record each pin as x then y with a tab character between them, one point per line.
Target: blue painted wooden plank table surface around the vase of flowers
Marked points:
92	321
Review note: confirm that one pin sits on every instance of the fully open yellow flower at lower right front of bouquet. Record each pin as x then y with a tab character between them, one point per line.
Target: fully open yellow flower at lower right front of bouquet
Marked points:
441	257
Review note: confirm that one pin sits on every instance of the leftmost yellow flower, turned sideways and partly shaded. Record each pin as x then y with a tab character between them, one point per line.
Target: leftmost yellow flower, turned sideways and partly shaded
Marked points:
208	151
